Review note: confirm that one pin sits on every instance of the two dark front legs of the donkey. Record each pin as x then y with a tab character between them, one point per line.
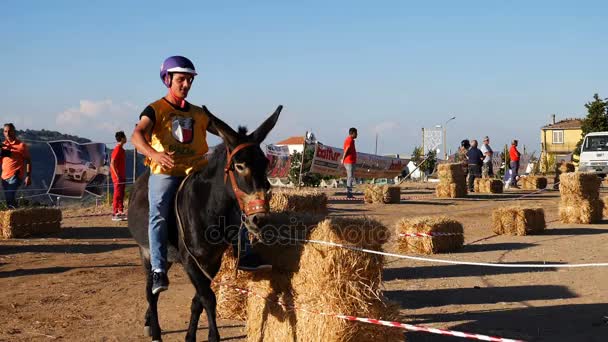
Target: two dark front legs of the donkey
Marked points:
204	298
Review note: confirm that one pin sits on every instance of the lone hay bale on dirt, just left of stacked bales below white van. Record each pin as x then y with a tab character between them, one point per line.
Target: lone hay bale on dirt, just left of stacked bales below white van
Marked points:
518	220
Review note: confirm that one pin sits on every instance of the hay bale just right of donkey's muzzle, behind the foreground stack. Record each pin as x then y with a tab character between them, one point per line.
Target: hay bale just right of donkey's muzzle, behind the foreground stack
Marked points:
303	201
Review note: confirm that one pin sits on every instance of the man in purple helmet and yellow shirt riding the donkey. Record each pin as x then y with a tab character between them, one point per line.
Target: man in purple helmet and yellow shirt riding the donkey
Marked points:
171	133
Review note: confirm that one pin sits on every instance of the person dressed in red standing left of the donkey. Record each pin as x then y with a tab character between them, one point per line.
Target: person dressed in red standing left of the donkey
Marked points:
118	171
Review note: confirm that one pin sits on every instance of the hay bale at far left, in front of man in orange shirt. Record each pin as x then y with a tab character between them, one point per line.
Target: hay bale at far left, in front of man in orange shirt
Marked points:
26	222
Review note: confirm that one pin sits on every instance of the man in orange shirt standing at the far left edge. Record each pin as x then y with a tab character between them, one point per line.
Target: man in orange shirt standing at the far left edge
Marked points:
16	165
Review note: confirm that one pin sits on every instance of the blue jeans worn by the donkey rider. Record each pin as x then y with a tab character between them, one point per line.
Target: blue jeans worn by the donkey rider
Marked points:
161	195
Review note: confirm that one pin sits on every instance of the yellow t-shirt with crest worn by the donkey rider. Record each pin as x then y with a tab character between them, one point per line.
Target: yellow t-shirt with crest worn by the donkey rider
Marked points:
181	132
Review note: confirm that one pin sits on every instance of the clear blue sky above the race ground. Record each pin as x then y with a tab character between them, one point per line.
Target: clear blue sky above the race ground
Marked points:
387	67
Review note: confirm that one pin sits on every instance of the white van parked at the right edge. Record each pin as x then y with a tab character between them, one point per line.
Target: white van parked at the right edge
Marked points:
594	153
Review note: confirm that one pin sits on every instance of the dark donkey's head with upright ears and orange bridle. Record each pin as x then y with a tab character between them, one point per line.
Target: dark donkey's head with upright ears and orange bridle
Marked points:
246	167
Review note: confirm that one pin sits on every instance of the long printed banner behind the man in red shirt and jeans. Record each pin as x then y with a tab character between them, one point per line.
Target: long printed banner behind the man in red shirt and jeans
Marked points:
326	161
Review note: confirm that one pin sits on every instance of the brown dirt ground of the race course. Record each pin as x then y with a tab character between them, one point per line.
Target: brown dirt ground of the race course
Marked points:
86	283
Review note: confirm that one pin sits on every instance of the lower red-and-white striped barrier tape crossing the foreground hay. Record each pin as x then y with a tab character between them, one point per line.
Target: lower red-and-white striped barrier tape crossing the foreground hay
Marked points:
400	325
